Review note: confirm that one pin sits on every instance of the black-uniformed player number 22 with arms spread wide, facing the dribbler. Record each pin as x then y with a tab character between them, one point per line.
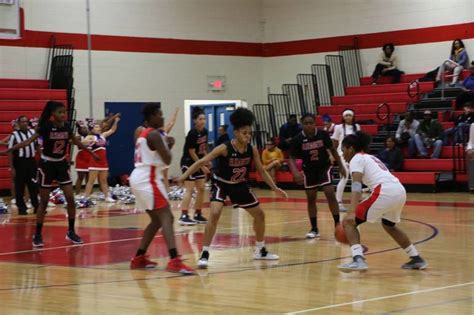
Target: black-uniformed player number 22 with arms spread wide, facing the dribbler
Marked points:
230	180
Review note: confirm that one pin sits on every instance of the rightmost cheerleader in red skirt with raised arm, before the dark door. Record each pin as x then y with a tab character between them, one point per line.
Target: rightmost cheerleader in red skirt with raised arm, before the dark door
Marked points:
100	168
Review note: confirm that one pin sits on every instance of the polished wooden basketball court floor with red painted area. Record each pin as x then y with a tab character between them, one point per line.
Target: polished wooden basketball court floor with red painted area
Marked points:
95	278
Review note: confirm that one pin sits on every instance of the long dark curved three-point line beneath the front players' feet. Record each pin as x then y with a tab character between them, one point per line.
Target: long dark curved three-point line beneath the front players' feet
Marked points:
263	267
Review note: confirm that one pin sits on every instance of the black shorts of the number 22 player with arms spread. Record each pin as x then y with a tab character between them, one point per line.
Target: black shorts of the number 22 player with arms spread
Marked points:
239	194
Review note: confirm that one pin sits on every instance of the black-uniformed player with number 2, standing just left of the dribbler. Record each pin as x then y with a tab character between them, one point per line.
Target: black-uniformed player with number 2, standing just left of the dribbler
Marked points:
312	146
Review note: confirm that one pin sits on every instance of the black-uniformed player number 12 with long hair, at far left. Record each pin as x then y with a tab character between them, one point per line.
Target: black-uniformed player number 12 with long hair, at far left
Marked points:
54	166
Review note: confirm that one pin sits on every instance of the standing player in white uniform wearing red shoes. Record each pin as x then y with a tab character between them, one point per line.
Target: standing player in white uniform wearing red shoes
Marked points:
152	155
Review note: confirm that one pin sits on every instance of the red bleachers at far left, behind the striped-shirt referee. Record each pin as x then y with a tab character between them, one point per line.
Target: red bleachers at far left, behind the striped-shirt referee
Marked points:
21	97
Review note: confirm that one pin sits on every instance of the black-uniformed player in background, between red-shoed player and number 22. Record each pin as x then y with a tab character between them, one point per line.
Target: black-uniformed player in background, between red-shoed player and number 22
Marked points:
195	148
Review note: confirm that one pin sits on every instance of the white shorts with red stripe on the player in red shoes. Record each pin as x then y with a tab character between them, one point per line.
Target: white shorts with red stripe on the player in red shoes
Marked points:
147	186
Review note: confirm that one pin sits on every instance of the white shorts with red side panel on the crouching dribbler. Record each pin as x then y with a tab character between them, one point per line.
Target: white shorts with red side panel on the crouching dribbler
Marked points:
385	202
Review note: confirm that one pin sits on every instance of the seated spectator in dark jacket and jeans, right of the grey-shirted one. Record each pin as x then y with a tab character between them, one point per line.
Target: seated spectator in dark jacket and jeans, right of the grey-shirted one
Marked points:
428	135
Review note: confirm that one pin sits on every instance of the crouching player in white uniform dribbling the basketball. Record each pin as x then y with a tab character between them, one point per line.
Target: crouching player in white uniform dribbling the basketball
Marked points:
385	203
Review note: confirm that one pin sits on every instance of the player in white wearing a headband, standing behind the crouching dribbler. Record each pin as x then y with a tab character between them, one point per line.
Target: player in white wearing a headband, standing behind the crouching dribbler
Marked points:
346	128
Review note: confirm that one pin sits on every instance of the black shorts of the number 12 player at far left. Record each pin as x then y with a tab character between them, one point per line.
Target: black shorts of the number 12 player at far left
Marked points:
49	171
